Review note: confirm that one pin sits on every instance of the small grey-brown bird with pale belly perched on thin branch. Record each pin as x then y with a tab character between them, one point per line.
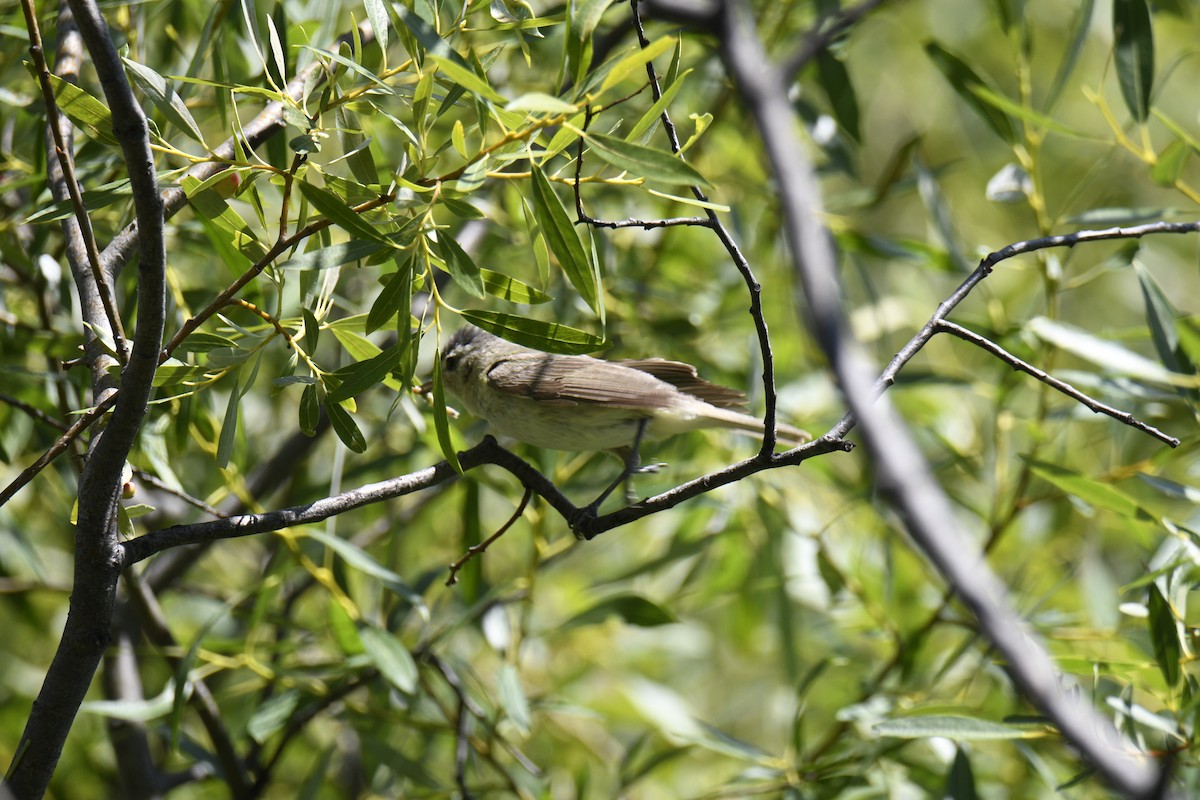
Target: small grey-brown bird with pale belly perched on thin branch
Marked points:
577	402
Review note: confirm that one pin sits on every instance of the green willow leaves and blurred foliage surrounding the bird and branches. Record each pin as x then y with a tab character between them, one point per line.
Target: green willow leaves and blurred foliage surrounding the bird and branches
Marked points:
776	637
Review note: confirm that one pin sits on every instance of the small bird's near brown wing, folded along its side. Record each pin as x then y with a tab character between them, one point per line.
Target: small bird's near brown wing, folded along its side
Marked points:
572	381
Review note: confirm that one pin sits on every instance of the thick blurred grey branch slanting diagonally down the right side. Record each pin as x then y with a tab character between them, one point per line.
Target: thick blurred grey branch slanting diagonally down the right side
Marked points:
901	470
